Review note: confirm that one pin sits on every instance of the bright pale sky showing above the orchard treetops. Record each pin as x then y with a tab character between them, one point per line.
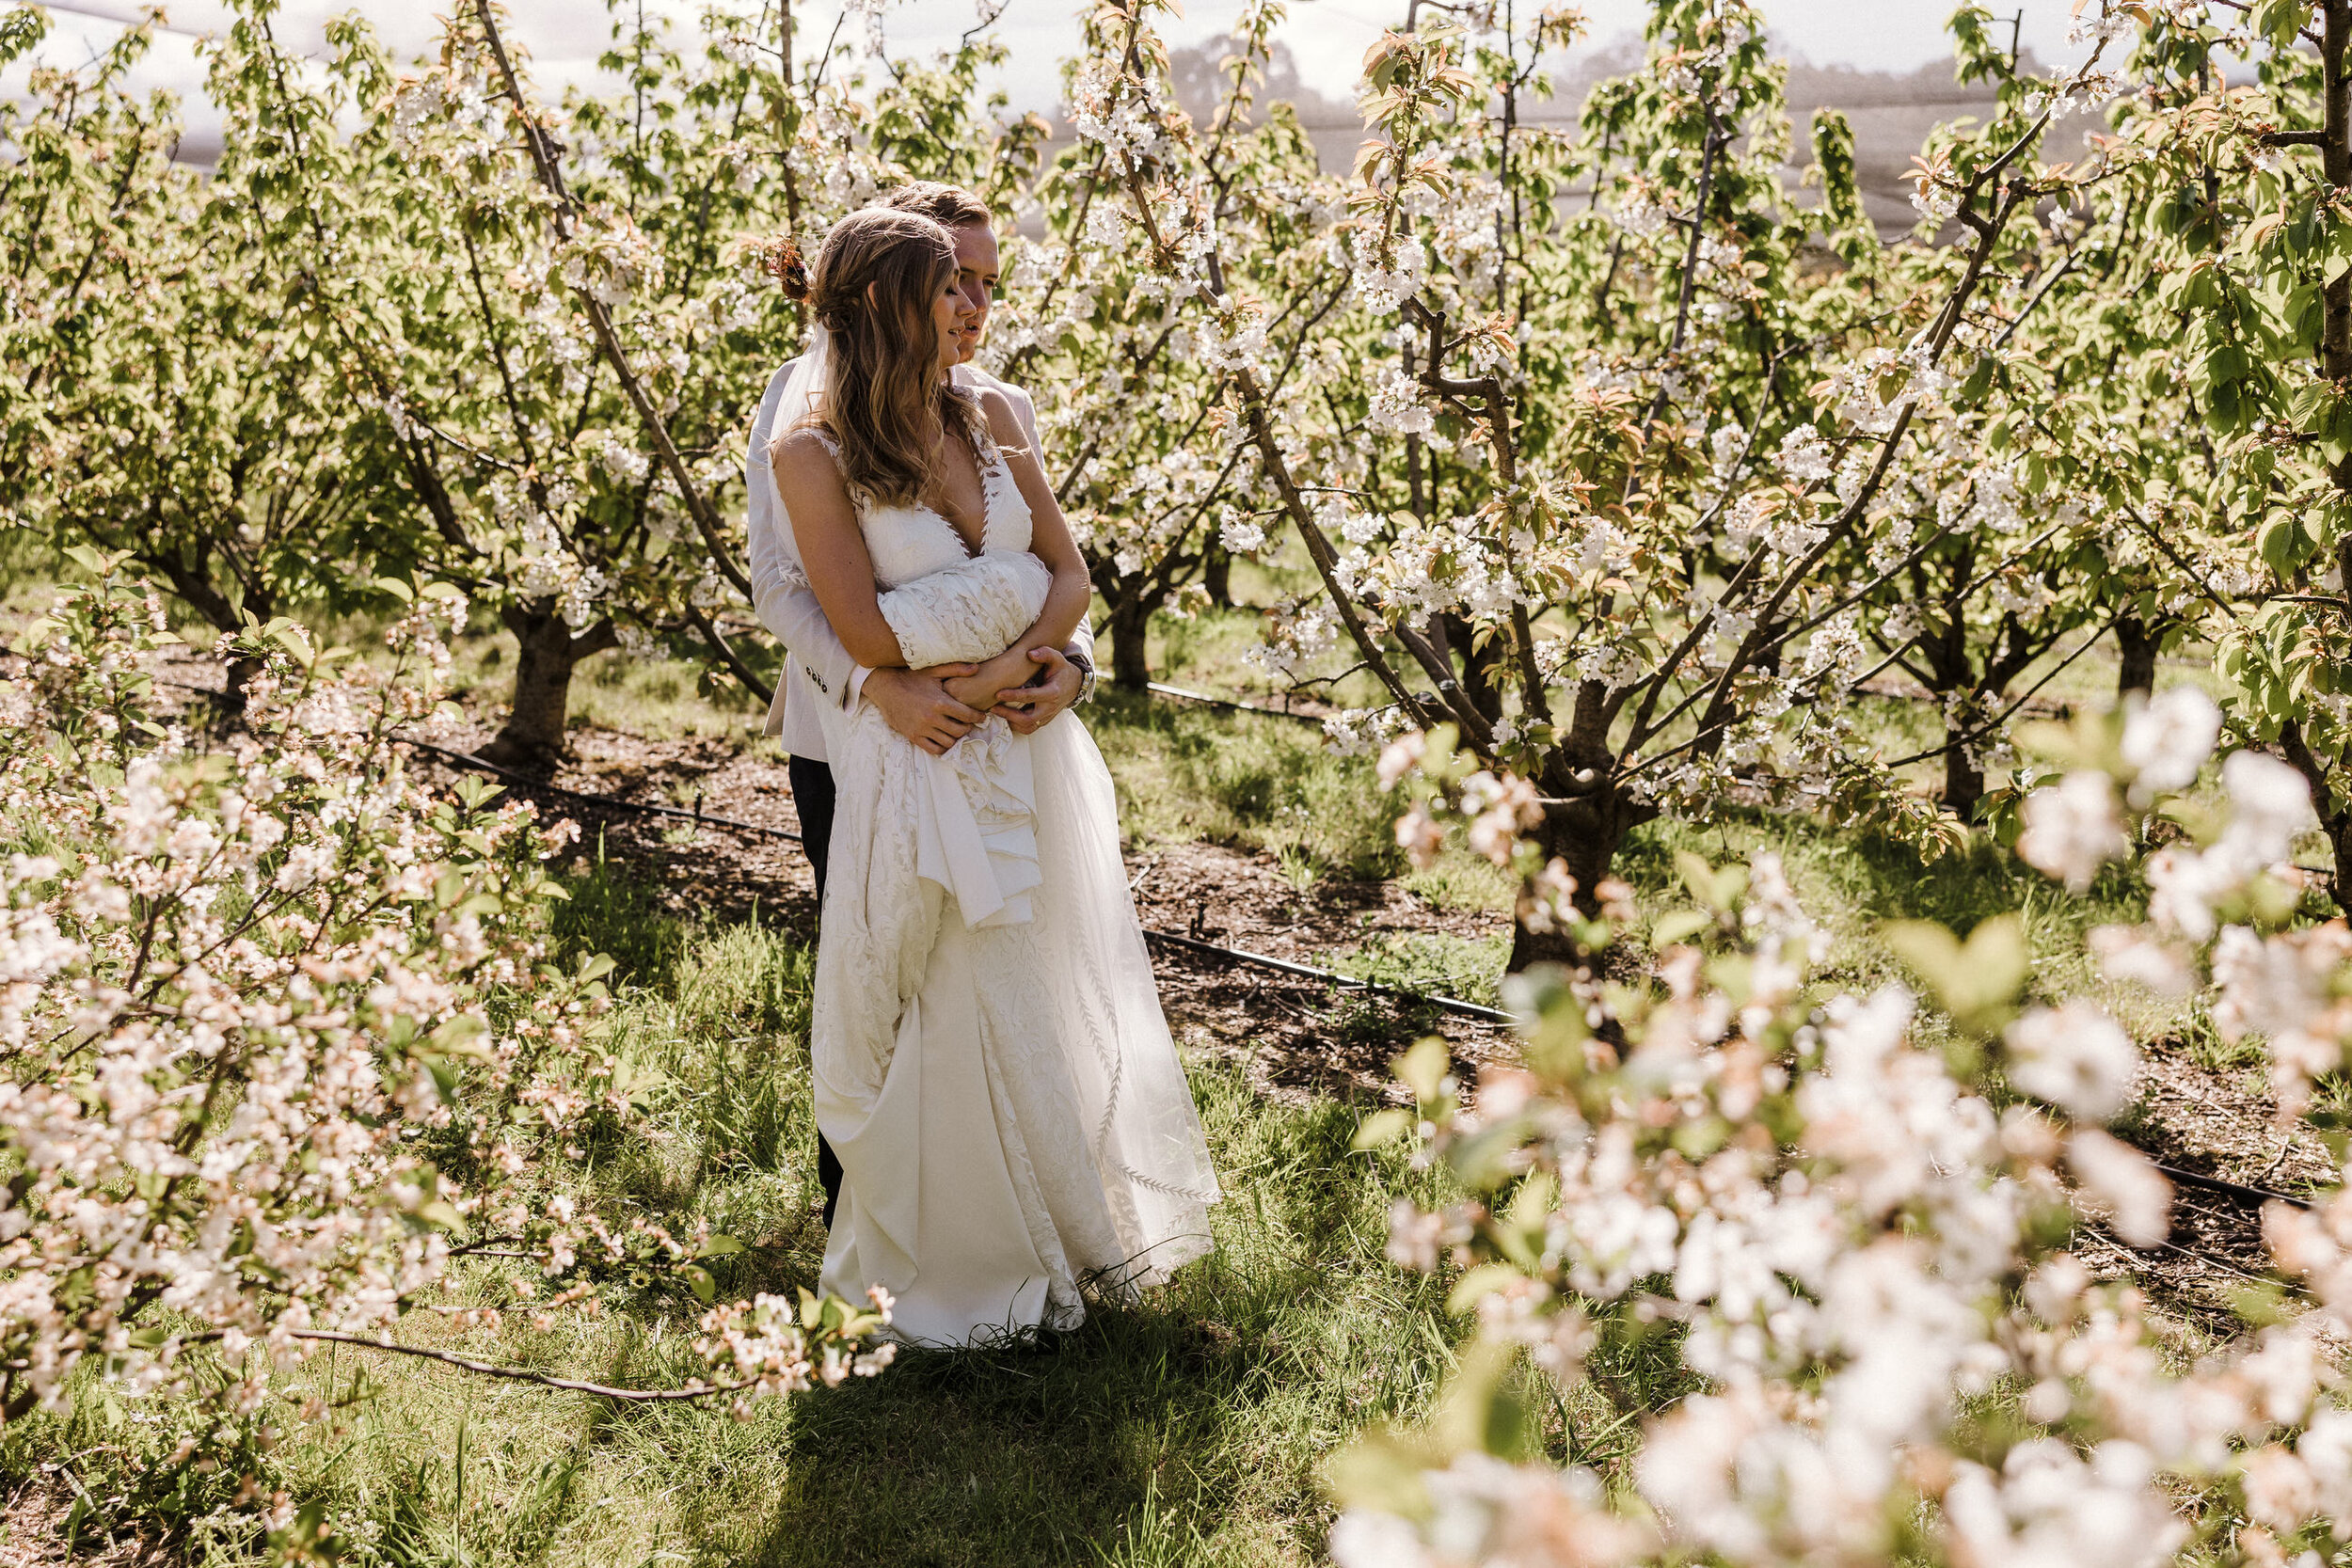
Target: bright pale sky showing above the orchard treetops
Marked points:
1325	36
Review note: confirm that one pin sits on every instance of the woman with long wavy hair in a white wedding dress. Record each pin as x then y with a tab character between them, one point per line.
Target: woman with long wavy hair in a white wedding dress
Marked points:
989	1052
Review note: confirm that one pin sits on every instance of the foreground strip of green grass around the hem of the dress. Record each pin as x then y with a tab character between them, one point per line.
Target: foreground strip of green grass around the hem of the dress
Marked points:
1184	1428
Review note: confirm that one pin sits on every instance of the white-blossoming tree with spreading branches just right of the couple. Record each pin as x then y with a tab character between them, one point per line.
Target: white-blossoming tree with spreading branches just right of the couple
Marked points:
1601	485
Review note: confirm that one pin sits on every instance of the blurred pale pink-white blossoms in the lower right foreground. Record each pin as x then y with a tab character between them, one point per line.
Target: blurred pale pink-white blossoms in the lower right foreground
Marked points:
1866	1247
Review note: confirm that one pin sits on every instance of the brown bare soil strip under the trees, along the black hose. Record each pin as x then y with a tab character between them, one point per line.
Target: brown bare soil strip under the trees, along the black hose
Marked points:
1302	1040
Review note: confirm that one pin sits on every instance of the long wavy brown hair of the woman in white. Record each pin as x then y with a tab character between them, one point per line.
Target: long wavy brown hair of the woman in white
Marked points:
886	401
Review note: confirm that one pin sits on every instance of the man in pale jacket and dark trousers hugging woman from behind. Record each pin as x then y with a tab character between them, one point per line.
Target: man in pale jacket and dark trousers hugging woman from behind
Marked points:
817	669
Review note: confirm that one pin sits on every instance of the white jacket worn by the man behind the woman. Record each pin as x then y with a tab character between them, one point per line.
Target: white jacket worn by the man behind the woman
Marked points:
817	666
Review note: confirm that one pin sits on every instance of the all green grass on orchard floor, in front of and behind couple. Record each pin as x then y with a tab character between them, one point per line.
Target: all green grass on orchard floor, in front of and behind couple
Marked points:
1180	1430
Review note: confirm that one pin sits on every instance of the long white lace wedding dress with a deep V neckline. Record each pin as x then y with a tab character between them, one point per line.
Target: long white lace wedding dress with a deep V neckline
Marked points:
989	1050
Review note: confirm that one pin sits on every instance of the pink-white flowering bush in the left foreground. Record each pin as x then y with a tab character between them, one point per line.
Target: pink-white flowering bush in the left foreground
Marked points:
281	1040
